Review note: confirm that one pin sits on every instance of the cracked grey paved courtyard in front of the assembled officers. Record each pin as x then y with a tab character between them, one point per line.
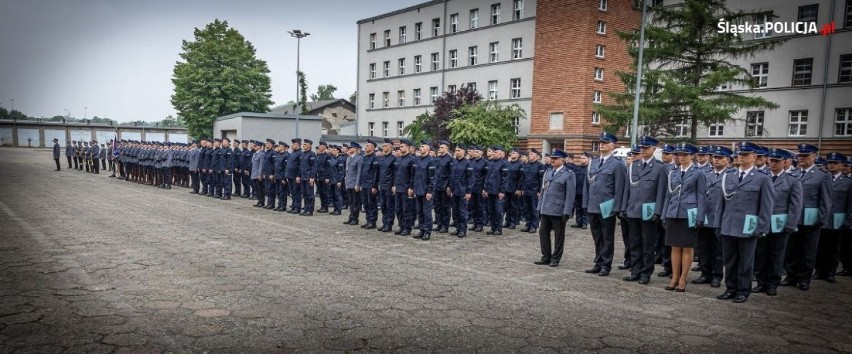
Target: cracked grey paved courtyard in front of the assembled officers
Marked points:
93	264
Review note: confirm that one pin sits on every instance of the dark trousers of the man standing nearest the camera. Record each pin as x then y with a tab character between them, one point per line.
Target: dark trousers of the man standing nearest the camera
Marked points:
739	262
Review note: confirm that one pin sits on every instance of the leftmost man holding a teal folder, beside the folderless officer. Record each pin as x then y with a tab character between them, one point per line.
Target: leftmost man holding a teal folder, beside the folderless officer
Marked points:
604	186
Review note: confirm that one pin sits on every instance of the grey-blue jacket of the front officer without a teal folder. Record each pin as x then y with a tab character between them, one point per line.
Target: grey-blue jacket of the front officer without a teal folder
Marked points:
558	191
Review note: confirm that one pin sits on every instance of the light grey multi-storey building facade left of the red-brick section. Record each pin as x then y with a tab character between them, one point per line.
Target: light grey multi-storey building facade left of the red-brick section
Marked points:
408	58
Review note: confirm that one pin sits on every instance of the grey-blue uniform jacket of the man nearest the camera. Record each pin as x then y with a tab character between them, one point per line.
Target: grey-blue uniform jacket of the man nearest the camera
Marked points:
752	196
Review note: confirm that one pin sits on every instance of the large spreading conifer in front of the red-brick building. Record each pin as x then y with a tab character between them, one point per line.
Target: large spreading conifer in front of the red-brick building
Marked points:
685	62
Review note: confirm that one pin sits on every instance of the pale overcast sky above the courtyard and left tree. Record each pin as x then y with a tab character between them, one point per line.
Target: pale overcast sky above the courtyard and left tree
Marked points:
116	57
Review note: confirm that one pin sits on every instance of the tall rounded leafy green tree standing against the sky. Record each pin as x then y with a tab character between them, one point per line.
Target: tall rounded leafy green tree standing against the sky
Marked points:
219	75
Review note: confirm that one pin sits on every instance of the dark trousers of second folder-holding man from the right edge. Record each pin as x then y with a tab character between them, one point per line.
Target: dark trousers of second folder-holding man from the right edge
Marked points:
800	260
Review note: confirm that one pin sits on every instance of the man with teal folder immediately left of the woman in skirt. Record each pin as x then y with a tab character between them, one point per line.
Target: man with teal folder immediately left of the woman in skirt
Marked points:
643	205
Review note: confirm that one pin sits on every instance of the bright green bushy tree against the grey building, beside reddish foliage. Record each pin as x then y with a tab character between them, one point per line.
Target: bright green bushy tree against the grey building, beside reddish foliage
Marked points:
486	123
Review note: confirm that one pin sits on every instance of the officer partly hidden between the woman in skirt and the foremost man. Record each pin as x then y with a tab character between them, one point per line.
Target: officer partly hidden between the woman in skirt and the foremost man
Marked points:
709	247
